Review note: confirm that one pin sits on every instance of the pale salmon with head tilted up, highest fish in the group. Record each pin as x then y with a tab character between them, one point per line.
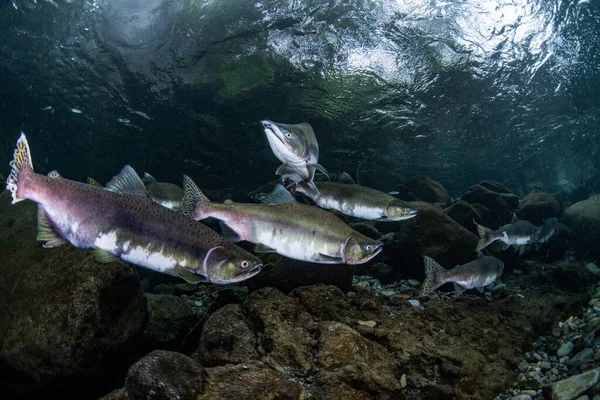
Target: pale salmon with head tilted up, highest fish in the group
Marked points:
296	147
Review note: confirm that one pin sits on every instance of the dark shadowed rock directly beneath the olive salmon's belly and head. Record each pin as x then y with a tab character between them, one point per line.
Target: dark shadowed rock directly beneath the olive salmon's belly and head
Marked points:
286	274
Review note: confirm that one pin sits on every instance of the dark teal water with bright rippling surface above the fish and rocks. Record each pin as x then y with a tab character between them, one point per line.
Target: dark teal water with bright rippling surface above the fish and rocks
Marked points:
459	91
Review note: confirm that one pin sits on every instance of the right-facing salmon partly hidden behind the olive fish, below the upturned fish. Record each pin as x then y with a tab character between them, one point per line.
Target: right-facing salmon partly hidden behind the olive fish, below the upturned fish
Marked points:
358	201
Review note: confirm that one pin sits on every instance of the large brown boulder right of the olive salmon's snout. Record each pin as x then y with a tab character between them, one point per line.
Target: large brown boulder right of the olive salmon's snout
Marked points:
430	233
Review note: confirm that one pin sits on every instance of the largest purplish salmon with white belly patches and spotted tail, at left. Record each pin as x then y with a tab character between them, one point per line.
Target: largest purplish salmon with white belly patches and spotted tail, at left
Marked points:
124	223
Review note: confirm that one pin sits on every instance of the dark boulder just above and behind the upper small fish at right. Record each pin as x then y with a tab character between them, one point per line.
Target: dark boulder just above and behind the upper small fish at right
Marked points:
500	202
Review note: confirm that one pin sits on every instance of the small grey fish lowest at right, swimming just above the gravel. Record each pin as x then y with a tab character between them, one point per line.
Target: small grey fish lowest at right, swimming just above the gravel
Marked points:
473	275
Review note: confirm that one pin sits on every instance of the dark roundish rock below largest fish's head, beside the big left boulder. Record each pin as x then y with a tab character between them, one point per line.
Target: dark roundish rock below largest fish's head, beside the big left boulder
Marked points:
170	319
